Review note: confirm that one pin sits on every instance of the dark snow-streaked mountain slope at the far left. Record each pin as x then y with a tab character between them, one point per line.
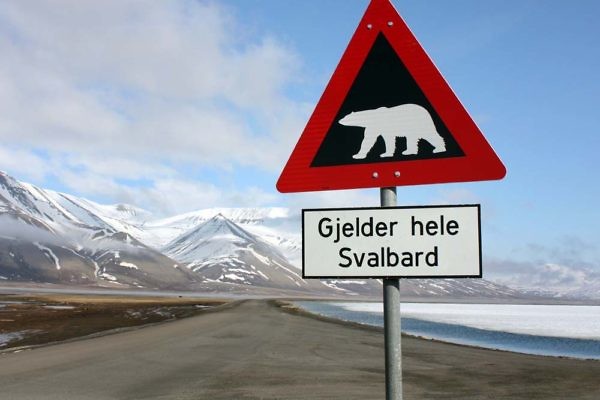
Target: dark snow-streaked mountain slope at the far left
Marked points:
49	237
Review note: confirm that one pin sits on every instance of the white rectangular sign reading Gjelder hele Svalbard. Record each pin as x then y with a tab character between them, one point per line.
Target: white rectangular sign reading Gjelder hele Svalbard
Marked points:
402	242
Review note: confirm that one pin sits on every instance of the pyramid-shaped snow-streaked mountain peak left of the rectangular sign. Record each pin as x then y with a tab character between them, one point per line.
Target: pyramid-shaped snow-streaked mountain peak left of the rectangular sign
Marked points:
222	251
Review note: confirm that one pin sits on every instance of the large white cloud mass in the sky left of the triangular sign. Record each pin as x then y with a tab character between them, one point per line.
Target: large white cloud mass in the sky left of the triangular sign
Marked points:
134	89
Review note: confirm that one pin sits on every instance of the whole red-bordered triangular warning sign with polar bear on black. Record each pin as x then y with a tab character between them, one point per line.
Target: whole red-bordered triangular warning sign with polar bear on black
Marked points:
387	118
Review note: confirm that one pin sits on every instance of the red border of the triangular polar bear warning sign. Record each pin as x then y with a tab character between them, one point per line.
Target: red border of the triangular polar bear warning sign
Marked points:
480	162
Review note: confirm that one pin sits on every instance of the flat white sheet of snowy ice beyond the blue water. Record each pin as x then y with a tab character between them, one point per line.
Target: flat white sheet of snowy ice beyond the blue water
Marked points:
582	322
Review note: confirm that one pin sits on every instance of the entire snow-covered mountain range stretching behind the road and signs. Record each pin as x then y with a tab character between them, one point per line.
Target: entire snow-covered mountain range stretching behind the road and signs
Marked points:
52	237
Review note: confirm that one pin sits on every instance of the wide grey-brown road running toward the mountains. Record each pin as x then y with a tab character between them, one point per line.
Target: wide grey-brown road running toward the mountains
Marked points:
254	350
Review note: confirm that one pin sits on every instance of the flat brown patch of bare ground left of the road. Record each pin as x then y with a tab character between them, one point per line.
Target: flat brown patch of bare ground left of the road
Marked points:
38	320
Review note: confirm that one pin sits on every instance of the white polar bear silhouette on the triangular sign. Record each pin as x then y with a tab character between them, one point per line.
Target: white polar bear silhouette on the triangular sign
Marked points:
406	120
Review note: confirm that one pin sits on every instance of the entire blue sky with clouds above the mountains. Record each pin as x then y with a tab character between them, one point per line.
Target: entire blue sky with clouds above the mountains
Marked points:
180	105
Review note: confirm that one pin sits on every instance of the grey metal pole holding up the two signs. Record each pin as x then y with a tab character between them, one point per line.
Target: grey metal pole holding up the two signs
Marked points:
391	320
